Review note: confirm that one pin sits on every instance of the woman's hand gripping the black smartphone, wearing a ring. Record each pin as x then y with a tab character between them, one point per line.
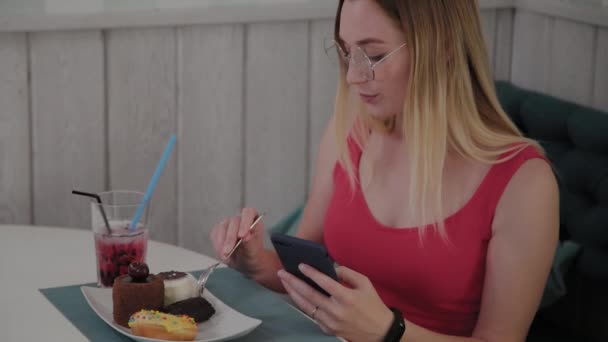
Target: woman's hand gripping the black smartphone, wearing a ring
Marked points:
355	313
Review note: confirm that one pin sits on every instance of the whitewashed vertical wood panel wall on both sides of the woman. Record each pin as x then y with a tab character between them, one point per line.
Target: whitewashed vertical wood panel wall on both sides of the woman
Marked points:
249	103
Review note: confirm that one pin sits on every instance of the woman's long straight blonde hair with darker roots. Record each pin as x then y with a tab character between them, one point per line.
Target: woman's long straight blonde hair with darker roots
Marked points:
451	102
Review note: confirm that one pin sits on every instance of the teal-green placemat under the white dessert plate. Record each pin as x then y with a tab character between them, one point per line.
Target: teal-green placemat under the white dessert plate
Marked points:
280	321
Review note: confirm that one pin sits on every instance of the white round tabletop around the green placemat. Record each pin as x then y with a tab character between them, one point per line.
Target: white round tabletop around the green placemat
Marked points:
39	257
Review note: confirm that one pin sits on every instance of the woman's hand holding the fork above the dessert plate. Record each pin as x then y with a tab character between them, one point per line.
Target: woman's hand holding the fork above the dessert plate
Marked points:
247	256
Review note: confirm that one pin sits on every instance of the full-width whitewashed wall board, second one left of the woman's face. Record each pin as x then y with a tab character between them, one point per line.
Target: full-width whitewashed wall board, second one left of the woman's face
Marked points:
276	117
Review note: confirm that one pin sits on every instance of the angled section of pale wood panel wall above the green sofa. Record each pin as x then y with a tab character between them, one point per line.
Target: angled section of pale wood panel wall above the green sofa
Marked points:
562	58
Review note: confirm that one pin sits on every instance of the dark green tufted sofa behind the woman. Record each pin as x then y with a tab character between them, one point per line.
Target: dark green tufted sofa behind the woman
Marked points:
575	302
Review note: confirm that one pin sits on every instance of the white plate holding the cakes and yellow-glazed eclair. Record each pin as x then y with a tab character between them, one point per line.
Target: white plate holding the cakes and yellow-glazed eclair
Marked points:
225	324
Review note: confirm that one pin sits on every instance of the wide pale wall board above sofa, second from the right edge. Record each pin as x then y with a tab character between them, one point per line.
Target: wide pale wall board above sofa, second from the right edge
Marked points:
571	76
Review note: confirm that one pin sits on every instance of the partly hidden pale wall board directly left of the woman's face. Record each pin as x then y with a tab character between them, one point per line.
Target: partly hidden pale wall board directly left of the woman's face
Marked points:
323	82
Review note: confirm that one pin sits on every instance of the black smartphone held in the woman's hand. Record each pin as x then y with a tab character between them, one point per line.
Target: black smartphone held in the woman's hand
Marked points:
293	251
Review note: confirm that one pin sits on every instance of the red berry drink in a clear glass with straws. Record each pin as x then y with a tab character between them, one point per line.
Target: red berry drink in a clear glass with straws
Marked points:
117	250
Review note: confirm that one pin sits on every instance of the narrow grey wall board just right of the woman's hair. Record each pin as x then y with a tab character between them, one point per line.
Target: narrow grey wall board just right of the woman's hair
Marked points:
503	45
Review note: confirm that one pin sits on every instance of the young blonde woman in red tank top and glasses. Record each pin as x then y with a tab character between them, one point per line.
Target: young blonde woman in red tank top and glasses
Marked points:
442	215
